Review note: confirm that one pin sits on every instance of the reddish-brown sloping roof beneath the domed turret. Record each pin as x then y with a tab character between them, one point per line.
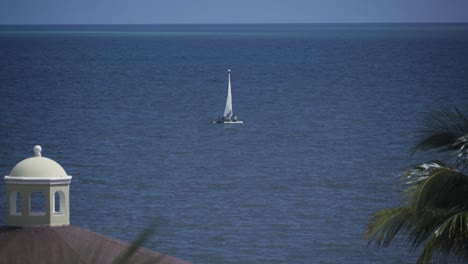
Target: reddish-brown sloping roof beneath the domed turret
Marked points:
69	244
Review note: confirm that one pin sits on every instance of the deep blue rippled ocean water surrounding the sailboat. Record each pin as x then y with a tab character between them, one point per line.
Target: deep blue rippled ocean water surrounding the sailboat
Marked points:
329	111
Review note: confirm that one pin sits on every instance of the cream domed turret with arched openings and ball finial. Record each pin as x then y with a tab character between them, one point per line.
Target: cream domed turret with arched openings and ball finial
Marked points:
38	192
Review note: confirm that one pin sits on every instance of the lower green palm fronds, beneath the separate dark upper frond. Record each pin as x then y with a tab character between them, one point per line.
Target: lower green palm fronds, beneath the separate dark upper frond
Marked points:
435	200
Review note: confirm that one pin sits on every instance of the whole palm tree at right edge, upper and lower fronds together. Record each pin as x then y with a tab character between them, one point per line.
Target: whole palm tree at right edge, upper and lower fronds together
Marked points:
434	214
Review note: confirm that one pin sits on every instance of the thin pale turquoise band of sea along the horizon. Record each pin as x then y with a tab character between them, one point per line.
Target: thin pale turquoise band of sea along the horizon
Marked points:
311	29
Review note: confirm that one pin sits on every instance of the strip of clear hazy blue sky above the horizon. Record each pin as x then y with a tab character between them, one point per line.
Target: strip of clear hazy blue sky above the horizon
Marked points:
229	11
